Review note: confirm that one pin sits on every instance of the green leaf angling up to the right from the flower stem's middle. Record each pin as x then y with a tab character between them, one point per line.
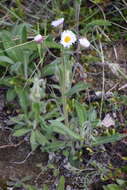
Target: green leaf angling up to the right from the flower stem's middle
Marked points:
77	88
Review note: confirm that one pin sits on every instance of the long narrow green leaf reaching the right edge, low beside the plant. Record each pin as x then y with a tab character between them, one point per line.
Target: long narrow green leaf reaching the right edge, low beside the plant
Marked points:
108	139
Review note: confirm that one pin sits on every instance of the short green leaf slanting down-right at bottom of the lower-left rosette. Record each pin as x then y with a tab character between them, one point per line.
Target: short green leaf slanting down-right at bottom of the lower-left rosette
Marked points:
40	138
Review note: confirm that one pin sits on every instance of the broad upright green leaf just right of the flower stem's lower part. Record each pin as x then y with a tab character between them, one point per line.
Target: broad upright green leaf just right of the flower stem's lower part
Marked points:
81	112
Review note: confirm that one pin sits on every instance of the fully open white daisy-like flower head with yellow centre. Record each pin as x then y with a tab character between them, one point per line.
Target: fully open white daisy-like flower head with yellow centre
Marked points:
67	38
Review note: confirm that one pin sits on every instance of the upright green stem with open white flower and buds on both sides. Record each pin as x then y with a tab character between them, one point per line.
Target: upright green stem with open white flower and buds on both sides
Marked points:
68	39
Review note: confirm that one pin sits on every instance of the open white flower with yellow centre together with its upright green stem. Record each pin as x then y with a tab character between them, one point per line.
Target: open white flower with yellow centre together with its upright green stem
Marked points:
68	38
